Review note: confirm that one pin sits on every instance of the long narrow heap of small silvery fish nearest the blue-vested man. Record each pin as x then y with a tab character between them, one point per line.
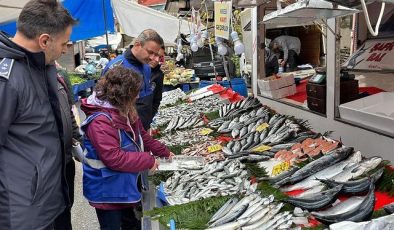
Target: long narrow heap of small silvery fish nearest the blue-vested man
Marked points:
187	110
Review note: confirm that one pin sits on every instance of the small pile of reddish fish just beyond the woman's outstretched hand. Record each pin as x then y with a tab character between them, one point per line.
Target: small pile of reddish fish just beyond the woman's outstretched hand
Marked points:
201	149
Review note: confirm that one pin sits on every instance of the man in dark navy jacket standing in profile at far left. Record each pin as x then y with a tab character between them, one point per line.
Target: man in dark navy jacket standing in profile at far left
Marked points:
33	191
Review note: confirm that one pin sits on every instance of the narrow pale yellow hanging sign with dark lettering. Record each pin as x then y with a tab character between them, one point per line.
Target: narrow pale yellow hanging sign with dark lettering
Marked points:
222	19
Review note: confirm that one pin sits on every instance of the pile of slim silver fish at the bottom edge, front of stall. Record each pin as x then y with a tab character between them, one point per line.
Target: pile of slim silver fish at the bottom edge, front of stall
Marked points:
251	212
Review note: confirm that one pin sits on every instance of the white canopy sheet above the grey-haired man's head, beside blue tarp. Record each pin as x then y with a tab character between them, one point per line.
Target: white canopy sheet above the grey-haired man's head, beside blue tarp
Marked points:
135	18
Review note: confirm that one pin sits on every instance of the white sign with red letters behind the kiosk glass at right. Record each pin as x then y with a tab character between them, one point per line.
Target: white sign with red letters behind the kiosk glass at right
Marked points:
376	55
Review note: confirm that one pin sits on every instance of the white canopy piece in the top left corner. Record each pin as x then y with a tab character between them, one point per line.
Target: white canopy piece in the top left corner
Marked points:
10	10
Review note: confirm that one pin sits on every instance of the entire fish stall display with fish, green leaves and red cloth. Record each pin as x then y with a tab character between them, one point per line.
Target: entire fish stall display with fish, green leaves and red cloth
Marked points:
258	169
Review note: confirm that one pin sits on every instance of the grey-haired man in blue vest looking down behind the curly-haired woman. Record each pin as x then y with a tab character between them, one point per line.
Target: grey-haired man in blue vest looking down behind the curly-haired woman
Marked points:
145	49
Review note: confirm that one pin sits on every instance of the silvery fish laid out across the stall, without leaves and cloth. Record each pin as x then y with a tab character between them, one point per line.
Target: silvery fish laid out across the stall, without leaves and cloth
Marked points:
333	169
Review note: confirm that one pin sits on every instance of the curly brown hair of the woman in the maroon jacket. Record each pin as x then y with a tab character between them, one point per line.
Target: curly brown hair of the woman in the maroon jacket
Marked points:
120	87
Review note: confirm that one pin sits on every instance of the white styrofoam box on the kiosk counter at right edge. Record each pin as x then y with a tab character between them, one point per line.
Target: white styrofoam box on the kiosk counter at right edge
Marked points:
376	111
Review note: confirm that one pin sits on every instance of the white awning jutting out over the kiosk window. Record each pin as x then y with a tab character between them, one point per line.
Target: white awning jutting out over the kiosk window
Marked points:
305	12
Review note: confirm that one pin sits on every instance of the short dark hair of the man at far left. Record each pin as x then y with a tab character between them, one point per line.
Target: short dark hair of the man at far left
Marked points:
44	16
